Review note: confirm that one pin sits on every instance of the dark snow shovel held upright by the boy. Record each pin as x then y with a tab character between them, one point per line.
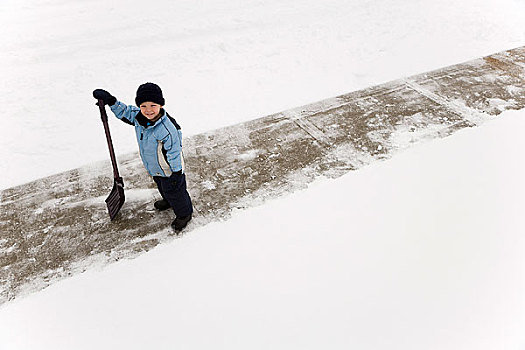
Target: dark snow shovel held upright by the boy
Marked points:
116	198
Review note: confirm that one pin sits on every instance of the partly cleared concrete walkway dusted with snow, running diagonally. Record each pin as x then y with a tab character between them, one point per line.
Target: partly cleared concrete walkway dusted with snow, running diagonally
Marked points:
58	226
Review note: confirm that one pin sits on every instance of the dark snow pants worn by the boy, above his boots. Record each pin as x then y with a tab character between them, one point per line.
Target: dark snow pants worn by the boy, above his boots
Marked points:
173	190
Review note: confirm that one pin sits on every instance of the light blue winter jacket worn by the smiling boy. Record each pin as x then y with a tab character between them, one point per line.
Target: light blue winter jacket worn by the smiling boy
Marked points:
160	143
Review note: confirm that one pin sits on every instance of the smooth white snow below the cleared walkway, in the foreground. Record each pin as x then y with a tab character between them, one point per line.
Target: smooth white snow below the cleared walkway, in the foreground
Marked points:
423	251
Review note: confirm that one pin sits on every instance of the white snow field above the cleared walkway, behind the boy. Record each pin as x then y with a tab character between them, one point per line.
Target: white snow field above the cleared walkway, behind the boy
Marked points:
219	61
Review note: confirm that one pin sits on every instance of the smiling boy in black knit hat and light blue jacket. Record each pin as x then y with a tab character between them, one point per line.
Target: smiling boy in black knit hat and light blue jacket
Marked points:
160	144
